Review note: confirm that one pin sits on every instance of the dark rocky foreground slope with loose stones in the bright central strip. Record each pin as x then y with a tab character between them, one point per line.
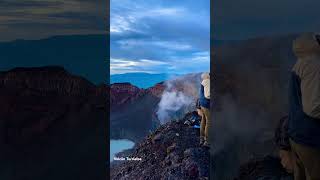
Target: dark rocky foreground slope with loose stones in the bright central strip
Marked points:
171	152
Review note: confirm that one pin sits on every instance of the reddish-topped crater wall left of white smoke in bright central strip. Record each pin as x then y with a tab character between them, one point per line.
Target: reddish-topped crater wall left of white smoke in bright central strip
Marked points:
132	111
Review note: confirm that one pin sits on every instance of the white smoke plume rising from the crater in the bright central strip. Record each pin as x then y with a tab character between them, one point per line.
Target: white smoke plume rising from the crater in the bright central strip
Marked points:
178	98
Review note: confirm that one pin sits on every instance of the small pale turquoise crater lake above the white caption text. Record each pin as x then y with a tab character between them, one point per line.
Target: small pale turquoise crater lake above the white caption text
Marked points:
120	145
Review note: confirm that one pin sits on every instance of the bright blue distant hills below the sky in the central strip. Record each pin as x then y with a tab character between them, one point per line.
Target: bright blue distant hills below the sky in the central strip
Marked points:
141	80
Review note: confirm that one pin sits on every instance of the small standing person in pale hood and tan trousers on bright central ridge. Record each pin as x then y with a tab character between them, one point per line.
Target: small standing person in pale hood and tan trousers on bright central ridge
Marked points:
204	99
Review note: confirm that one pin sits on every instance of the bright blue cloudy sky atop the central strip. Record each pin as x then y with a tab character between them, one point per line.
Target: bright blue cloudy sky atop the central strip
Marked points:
159	36
